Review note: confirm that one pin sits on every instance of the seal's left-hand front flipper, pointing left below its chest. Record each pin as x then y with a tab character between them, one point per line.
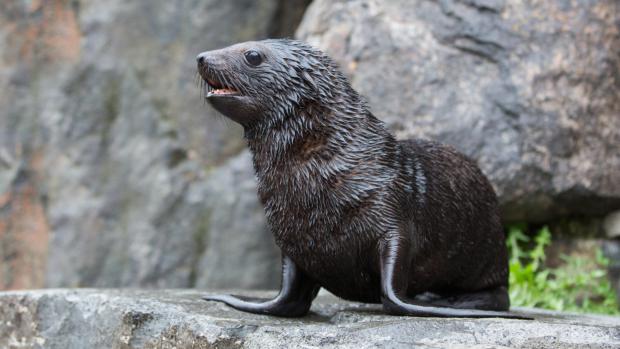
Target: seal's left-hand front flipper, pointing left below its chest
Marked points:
294	300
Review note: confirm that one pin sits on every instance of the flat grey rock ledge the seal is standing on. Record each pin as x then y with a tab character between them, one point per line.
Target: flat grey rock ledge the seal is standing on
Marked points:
179	319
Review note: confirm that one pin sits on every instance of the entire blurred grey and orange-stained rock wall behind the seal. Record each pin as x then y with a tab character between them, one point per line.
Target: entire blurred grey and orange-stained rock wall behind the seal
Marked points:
114	173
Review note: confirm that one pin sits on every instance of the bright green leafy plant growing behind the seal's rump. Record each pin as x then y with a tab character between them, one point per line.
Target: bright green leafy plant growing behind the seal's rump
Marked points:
578	285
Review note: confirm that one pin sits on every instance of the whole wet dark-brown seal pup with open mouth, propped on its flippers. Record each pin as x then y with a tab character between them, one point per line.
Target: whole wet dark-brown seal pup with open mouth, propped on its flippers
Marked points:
411	224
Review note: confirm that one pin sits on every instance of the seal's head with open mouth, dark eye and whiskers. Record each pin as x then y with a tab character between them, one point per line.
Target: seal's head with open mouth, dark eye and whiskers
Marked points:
261	82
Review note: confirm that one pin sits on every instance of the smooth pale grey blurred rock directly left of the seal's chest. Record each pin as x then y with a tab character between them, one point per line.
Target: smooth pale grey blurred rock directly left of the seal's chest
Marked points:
240	249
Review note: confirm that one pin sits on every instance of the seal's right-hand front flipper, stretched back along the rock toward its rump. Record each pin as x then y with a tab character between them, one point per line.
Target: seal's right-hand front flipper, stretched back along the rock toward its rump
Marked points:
394	280
